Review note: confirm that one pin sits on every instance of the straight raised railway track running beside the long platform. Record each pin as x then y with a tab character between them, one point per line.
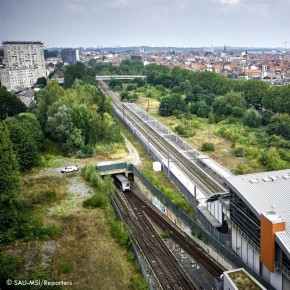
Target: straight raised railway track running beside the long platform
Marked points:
202	179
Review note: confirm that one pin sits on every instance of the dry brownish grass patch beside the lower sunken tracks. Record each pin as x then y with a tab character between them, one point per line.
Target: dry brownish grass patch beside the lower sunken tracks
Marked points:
89	257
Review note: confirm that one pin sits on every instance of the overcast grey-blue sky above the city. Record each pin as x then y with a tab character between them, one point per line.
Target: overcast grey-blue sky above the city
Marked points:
183	23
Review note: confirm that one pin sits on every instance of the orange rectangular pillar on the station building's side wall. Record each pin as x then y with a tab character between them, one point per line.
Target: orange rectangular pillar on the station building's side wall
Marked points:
271	222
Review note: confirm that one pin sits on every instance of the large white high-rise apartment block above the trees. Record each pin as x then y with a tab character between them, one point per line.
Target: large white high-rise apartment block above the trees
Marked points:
24	63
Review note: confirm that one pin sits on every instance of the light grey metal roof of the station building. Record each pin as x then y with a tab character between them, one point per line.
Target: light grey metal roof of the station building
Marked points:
264	192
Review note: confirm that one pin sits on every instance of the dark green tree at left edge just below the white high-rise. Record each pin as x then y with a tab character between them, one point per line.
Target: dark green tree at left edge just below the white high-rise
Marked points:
10	105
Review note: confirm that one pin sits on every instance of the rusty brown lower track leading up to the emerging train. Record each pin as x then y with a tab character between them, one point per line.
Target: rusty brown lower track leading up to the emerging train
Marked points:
166	268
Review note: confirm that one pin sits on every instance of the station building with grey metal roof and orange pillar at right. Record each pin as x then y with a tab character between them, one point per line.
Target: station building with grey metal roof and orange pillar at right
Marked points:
259	222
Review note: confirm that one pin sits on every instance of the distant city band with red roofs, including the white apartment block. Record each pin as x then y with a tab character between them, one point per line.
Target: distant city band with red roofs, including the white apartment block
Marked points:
23	62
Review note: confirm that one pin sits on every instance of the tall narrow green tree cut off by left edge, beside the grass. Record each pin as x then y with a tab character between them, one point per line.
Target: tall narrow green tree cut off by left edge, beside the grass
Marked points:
9	186
